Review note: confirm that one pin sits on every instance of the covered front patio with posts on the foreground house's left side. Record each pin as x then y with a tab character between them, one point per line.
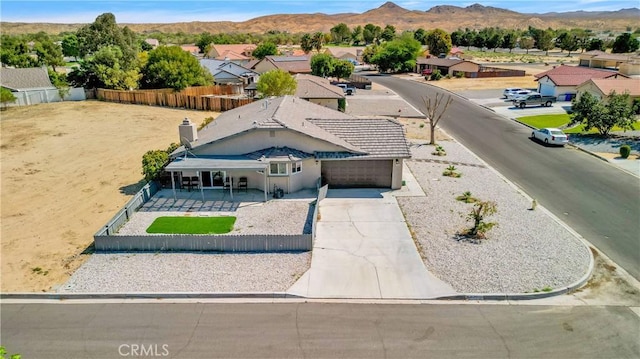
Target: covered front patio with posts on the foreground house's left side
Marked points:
224	175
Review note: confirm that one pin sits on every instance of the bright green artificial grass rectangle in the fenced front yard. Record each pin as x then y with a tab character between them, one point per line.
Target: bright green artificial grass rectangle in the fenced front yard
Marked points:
192	225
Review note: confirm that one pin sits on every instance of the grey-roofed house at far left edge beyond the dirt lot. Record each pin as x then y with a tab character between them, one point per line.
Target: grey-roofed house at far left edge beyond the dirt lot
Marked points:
30	86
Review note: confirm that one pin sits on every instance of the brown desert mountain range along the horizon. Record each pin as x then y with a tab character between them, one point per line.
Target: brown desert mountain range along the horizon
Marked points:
446	17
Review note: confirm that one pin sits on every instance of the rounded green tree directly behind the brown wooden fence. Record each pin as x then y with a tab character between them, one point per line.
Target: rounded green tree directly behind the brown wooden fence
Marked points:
172	67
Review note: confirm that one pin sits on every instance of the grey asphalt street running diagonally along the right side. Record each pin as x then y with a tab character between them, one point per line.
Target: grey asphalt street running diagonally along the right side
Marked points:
597	200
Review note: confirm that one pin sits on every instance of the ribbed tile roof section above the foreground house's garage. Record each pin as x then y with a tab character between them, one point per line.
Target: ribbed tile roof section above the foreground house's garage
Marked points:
378	137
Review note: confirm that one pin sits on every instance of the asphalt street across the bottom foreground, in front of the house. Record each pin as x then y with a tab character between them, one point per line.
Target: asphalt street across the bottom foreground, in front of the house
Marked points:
318	330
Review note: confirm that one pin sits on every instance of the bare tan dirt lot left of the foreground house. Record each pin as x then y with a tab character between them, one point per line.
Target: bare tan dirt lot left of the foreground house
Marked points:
66	169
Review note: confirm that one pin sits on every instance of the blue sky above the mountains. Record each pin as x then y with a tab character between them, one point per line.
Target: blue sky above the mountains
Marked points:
161	11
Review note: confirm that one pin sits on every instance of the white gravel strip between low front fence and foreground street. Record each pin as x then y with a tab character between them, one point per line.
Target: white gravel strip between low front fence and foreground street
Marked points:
188	272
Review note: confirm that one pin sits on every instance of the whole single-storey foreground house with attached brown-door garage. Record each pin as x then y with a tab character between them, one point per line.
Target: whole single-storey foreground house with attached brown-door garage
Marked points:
292	144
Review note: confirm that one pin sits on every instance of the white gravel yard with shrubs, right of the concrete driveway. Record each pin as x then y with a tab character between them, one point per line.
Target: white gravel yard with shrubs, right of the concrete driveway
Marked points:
527	251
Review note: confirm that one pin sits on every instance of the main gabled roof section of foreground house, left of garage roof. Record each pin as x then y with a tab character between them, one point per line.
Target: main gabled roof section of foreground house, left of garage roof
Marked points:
287	112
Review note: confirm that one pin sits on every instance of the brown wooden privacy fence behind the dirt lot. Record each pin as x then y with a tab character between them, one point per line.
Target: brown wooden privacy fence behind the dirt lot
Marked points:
204	98
